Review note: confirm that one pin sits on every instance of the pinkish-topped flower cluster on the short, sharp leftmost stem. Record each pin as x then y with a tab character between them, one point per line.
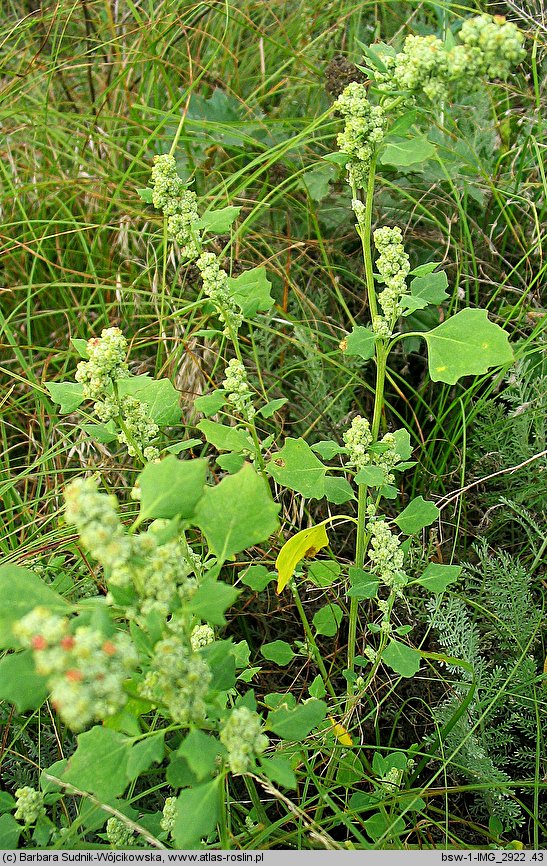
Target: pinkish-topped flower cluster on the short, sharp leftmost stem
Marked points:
99	375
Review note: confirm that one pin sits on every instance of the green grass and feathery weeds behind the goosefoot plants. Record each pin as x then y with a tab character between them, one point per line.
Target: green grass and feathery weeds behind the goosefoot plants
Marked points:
89	92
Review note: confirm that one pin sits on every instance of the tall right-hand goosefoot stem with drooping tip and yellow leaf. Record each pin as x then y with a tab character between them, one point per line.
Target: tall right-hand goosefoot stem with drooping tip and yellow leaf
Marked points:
464	344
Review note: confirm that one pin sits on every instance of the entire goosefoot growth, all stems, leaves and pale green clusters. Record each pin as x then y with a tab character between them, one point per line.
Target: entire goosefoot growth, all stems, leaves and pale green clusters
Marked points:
144	659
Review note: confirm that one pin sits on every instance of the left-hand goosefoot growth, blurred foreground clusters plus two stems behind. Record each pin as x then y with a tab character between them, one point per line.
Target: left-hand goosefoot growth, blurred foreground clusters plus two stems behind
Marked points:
146	660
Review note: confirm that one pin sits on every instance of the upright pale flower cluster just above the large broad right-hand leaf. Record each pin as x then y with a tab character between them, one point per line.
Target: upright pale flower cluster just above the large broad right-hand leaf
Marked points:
394	266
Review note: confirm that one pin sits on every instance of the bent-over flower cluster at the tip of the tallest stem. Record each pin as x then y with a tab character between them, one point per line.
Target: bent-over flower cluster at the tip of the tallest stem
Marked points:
490	47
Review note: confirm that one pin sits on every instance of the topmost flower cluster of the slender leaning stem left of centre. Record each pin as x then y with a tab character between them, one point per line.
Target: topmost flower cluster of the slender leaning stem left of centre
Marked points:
179	204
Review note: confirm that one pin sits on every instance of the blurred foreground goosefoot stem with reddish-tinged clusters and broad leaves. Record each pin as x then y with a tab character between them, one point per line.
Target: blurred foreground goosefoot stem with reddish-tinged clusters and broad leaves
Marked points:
145	660
